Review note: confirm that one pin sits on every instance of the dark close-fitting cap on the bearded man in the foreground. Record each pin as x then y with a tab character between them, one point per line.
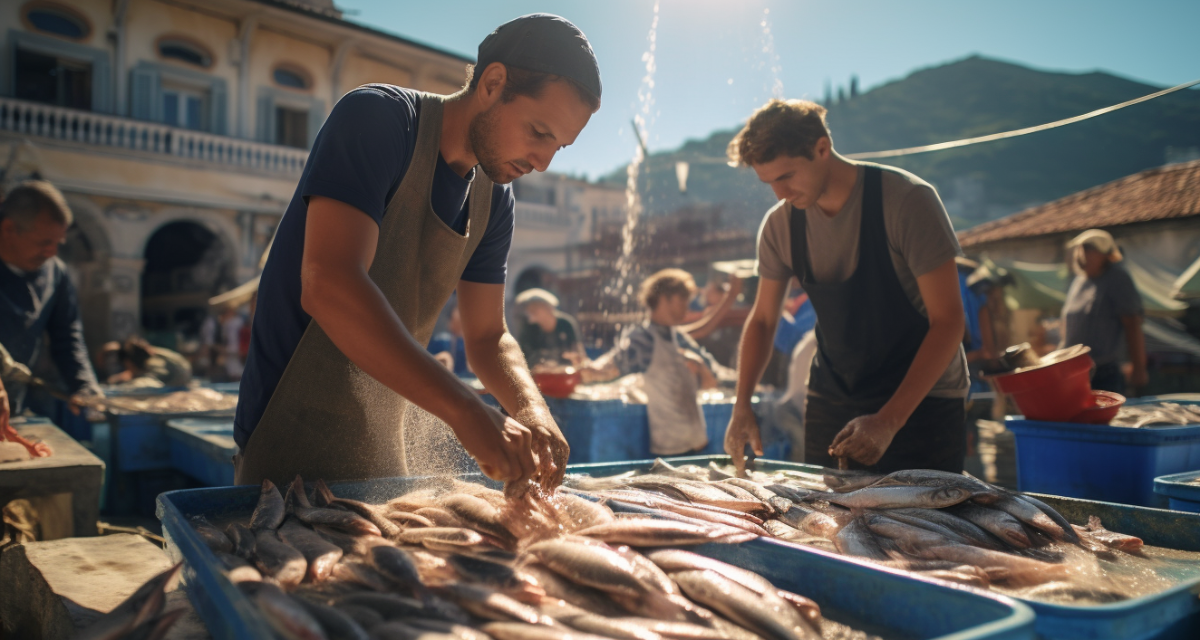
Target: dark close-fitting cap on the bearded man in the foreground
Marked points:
545	44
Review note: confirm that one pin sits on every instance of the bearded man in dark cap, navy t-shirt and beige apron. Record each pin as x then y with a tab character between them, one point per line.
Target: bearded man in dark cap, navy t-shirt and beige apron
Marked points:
405	199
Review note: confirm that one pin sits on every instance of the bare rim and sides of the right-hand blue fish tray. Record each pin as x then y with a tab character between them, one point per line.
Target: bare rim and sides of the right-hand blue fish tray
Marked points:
1171	614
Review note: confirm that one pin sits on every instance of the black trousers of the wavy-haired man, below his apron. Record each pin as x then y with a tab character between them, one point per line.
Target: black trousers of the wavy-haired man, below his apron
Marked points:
933	438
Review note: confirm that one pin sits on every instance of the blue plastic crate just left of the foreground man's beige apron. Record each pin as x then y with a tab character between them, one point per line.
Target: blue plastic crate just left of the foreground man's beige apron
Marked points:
203	450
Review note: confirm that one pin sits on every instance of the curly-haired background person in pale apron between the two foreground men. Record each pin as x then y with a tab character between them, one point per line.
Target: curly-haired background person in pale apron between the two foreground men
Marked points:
676	367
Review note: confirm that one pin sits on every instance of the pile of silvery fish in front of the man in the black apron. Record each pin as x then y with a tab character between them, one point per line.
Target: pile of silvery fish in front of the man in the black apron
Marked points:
944	525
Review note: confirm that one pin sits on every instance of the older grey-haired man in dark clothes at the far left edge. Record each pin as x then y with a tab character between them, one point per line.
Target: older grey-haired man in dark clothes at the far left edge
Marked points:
37	295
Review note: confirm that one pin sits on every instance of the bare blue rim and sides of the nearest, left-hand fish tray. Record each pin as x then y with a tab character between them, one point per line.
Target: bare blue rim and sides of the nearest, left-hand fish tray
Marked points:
890	605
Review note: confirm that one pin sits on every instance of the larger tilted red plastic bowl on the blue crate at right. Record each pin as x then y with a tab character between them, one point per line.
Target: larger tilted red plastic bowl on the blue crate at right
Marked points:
1055	392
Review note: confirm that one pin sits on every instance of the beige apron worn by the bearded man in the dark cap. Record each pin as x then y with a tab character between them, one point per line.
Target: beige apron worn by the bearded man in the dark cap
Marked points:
327	418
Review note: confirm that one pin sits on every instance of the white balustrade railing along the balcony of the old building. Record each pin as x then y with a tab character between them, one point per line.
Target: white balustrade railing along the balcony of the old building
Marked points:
99	130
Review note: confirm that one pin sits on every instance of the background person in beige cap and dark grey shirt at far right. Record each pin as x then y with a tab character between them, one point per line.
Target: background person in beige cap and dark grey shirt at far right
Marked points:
1103	309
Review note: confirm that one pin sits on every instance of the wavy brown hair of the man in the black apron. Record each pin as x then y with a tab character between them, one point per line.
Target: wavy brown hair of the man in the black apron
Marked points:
790	128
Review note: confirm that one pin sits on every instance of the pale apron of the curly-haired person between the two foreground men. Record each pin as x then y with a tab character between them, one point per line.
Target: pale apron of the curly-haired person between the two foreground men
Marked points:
677	423
